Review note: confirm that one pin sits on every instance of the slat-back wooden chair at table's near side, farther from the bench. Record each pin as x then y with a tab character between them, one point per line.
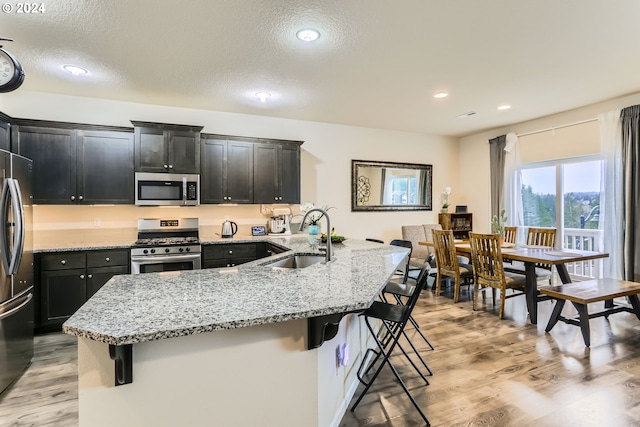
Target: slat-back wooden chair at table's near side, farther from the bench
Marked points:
447	264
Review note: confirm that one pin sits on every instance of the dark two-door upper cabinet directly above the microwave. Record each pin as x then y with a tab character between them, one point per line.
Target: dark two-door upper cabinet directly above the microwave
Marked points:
169	148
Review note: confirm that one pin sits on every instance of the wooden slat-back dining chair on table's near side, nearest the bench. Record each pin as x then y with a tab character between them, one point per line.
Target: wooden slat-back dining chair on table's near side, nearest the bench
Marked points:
488	270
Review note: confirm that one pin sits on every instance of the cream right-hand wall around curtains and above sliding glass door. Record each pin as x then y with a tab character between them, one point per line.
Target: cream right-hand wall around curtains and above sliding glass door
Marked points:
474	172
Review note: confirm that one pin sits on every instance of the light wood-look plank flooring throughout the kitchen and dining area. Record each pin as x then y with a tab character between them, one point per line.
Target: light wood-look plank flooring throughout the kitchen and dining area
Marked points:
487	372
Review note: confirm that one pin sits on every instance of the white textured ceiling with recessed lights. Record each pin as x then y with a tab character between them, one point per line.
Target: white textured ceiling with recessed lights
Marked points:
377	62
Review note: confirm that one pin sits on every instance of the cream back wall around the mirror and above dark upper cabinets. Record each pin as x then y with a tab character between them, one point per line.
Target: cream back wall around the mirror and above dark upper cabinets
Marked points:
325	162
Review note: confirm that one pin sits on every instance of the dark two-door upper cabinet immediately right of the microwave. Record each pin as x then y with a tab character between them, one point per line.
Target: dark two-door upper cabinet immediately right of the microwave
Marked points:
227	170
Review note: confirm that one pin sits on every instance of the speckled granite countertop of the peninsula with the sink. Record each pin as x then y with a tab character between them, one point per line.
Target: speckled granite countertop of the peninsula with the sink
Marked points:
131	309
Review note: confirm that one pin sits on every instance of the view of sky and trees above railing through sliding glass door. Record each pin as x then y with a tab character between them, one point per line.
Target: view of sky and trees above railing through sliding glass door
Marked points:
580	186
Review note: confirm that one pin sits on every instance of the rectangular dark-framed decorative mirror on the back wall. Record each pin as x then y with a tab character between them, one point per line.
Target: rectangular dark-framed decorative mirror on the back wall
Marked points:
390	186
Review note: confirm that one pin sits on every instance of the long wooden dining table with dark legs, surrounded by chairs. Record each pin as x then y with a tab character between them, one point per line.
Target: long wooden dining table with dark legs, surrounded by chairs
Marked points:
531	255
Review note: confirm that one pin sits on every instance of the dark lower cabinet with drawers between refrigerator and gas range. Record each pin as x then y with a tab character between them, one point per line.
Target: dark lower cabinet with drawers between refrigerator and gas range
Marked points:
67	280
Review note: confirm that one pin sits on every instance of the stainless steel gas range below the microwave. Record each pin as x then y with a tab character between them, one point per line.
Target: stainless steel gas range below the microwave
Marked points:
166	245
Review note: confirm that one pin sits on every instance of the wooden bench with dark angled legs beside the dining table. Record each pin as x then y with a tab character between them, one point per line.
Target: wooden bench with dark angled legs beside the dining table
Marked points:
583	293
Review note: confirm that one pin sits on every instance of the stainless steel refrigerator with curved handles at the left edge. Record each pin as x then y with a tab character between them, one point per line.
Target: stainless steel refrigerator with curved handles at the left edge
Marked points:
16	267
